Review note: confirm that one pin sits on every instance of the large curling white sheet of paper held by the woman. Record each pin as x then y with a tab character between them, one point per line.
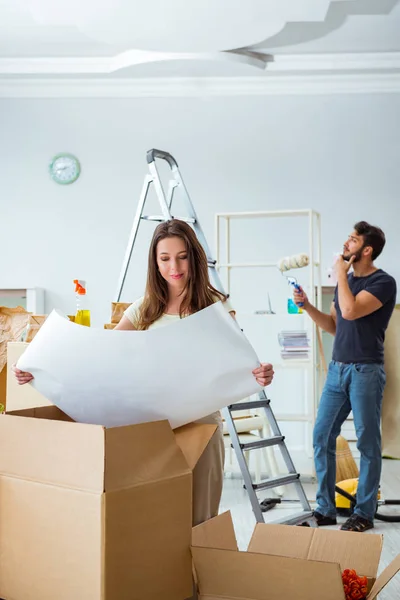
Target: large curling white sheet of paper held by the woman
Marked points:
180	372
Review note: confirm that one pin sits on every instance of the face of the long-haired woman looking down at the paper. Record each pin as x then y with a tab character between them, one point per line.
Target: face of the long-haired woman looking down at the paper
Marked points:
172	261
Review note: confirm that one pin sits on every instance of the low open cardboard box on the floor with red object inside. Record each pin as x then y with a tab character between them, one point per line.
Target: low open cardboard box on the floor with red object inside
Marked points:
283	562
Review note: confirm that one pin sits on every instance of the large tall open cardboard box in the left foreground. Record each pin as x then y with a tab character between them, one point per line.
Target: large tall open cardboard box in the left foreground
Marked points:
95	513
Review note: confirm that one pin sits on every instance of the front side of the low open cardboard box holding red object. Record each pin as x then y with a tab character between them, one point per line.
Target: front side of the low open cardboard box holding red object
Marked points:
245	575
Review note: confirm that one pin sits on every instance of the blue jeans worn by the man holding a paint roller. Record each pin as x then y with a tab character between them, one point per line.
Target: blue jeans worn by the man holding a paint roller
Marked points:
357	387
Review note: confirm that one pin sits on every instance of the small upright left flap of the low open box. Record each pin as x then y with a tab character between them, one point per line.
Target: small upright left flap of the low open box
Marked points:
215	533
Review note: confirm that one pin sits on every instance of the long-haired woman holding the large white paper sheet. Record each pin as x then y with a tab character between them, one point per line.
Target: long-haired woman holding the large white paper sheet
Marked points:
178	285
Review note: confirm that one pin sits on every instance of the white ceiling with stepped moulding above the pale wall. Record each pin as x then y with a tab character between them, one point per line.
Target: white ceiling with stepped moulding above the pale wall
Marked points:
128	39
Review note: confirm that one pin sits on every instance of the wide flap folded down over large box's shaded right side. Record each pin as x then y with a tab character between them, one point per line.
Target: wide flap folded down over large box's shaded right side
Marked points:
139	454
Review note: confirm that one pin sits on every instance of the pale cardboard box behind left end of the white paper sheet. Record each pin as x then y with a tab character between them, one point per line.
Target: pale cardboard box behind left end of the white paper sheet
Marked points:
20	396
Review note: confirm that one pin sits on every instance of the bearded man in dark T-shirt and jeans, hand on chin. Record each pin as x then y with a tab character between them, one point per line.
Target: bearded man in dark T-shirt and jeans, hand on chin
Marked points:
359	315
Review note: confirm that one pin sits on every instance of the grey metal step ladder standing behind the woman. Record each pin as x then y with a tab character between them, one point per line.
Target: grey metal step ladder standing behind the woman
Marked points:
277	439
